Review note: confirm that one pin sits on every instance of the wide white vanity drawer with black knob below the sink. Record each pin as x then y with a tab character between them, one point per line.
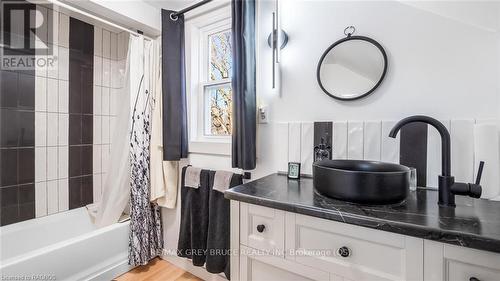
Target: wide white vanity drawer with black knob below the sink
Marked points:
370	255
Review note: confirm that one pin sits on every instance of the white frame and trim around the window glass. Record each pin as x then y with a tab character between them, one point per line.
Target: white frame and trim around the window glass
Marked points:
197	30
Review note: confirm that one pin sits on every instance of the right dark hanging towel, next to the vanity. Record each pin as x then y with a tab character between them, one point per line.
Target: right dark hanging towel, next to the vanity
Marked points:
219	228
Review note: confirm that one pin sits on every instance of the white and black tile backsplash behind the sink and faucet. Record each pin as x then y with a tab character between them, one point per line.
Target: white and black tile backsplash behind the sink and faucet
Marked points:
417	145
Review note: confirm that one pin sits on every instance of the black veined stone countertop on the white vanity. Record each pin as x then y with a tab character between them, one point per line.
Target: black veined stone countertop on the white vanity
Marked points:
474	223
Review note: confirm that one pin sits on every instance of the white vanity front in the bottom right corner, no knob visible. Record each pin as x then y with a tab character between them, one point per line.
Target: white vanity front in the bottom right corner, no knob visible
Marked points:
451	263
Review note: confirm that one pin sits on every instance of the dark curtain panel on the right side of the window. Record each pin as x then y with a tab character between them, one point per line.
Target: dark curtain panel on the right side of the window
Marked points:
243	82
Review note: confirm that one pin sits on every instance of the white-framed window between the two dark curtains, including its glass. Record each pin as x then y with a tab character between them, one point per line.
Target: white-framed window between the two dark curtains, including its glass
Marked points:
208	73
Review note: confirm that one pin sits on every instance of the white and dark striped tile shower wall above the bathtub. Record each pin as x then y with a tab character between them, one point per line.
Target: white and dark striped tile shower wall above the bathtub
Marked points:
49	148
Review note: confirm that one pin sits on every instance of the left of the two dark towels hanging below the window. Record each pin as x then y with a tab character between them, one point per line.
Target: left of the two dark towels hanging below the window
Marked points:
194	219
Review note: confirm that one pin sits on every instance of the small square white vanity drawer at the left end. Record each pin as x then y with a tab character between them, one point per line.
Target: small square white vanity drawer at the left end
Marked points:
262	228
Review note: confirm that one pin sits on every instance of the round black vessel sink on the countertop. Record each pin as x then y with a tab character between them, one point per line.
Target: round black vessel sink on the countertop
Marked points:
359	181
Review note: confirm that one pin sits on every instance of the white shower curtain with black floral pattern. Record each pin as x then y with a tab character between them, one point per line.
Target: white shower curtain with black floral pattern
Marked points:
145	241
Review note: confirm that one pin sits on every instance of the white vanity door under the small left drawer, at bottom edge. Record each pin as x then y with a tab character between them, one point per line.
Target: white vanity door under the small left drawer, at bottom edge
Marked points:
272	268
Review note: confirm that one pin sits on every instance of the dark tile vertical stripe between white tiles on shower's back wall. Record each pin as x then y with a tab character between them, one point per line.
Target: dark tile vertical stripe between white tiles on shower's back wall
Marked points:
81	74
